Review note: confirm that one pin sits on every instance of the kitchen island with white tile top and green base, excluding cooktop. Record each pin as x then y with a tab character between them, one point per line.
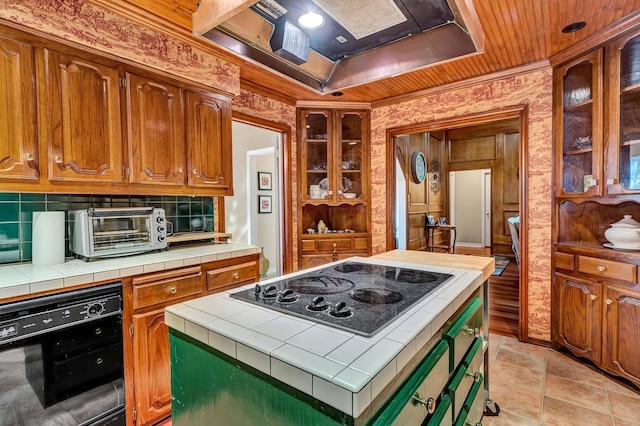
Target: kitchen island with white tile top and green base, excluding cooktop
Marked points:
235	362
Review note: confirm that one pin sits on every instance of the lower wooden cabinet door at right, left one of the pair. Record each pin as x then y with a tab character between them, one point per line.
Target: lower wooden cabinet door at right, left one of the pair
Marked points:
579	304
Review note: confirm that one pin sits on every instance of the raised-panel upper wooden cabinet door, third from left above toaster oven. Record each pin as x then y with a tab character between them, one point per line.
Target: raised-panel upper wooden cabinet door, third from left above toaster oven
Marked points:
155	132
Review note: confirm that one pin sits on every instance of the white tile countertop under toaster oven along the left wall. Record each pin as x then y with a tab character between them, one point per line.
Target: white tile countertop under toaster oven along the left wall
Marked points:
26	278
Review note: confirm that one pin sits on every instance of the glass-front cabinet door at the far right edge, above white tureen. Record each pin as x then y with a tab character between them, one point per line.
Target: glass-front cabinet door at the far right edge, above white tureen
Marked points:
625	123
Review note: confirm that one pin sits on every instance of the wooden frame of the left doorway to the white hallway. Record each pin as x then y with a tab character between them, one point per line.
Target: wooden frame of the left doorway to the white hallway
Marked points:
285	164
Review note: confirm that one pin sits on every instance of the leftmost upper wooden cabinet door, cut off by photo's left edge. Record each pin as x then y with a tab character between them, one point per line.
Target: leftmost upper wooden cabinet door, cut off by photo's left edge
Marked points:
18	149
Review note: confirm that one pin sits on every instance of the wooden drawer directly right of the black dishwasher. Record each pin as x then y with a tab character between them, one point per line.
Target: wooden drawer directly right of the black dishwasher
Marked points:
163	287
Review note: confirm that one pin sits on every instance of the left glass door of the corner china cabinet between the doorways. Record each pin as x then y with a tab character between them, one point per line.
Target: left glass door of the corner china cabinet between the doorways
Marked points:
316	157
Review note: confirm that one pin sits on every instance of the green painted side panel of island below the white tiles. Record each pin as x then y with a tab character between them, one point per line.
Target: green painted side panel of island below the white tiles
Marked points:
211	388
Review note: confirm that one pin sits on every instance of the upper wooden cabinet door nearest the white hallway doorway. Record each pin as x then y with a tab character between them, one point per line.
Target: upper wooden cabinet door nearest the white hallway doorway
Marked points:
208	122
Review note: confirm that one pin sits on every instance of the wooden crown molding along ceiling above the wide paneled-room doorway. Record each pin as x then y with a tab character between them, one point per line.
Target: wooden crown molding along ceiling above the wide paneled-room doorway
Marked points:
500	75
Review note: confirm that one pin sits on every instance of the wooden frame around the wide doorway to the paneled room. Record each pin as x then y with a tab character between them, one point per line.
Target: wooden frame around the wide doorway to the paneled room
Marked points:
520	112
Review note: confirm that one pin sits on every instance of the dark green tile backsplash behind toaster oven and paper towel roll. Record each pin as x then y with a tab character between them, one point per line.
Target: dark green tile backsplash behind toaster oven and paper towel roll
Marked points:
188	214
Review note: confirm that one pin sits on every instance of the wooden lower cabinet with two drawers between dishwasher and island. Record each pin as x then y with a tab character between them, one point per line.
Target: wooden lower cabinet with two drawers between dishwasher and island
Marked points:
149	394
